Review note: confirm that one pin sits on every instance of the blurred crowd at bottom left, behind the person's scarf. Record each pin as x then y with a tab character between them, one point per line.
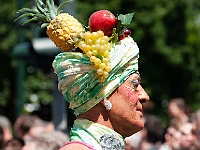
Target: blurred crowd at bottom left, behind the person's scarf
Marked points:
30	132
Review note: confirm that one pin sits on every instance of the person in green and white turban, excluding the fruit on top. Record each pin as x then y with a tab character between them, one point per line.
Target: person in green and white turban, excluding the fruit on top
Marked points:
107	111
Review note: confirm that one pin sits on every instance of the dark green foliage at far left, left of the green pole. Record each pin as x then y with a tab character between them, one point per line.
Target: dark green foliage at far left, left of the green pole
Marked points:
7	40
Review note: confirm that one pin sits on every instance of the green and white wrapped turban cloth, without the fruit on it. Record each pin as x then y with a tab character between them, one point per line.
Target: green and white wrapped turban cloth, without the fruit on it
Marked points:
77	79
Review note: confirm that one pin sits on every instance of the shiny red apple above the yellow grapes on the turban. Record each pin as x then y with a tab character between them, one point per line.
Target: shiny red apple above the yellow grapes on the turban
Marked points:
102	20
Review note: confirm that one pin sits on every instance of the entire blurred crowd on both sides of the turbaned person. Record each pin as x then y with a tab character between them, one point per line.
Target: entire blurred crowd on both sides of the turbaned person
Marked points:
182	132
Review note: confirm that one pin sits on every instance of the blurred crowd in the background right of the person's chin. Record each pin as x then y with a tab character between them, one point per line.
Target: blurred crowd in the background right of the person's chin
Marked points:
182	132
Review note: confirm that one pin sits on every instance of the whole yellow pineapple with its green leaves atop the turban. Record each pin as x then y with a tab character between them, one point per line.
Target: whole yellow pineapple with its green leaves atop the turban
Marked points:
62	28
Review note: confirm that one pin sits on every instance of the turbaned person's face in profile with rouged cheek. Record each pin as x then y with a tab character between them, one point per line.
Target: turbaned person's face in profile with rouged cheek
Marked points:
127	100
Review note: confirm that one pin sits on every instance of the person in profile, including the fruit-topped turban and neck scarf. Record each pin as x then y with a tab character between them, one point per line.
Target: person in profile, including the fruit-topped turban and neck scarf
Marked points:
97	74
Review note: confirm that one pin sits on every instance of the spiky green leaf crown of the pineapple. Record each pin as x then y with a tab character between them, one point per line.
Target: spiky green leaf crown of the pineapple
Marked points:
44	12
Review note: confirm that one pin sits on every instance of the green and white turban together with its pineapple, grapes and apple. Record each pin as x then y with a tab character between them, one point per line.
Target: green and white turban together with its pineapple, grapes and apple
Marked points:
95	62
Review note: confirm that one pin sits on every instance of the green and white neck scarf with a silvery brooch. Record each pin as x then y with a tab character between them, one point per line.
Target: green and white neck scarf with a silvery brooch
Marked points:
96	135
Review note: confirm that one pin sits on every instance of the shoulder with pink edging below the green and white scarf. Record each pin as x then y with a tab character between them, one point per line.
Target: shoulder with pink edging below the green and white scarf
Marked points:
76	145
